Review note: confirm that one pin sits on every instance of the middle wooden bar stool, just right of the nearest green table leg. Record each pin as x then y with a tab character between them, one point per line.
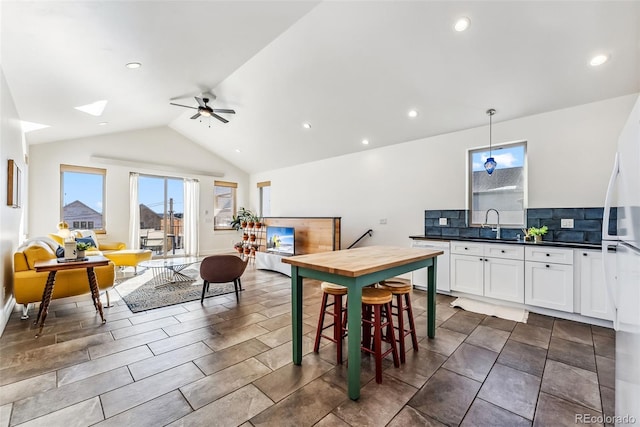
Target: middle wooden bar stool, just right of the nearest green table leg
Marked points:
376	304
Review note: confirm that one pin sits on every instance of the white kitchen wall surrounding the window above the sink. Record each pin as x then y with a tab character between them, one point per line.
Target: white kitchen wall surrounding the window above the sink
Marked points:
570	155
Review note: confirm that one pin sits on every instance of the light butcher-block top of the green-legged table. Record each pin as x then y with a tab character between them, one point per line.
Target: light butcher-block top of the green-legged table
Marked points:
360	261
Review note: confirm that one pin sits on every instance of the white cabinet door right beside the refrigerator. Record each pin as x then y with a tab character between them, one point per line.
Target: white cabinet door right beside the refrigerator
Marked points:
594	298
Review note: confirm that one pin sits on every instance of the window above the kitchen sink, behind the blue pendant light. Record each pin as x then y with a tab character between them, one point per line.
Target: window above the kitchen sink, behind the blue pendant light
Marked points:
505	190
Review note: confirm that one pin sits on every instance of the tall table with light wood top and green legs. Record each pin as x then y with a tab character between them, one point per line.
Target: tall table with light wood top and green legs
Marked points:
355	269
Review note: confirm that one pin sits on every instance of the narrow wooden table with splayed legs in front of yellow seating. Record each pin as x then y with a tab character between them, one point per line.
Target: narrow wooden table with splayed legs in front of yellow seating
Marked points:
53	266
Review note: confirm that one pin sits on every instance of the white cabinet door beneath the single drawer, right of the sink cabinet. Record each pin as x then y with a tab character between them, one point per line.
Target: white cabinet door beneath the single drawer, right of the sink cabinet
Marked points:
549	285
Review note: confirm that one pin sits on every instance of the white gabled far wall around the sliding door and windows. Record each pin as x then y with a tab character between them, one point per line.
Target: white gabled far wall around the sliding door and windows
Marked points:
159	151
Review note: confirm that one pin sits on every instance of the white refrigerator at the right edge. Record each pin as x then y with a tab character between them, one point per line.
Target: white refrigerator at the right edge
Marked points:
621	255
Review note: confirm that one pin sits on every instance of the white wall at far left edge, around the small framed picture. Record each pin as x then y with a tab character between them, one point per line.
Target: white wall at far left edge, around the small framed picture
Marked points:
12	220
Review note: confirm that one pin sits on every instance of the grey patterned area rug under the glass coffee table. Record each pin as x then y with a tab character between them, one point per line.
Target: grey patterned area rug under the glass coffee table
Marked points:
140	293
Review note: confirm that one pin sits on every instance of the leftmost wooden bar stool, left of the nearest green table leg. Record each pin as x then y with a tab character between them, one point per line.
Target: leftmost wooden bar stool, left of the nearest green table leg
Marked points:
339	314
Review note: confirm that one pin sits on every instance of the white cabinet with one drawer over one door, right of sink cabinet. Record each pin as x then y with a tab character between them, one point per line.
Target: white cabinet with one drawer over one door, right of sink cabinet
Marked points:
549	278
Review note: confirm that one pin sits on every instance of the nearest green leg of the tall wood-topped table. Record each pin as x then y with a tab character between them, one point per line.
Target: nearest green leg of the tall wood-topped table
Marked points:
354	310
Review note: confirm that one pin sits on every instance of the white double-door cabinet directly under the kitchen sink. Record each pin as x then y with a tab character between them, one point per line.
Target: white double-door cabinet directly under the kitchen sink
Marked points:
491	270
